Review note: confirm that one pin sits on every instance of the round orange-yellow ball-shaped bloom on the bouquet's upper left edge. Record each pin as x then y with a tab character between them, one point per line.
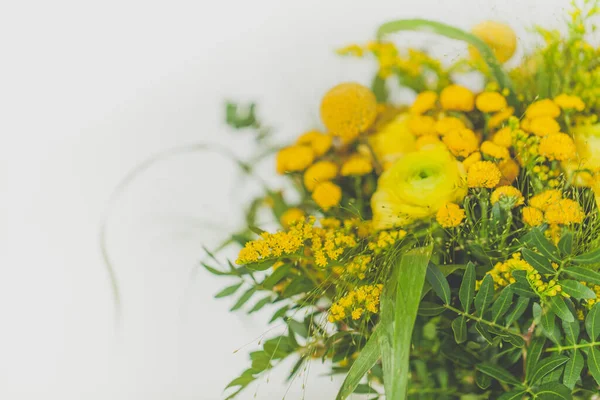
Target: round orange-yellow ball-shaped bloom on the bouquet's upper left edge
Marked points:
348	109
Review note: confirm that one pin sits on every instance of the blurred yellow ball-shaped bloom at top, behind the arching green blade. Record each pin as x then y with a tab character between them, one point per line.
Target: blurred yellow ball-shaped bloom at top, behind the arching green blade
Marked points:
500	37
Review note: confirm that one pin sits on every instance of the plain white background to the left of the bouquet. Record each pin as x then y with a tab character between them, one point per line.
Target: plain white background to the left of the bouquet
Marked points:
89	90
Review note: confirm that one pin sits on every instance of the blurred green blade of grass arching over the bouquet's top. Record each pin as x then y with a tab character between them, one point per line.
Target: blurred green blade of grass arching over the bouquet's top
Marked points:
454	33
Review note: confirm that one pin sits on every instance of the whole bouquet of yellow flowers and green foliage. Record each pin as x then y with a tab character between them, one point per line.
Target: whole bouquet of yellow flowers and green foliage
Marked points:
447	248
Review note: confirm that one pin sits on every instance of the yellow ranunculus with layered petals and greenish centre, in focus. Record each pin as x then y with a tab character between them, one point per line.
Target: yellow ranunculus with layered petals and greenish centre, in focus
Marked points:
416	186
